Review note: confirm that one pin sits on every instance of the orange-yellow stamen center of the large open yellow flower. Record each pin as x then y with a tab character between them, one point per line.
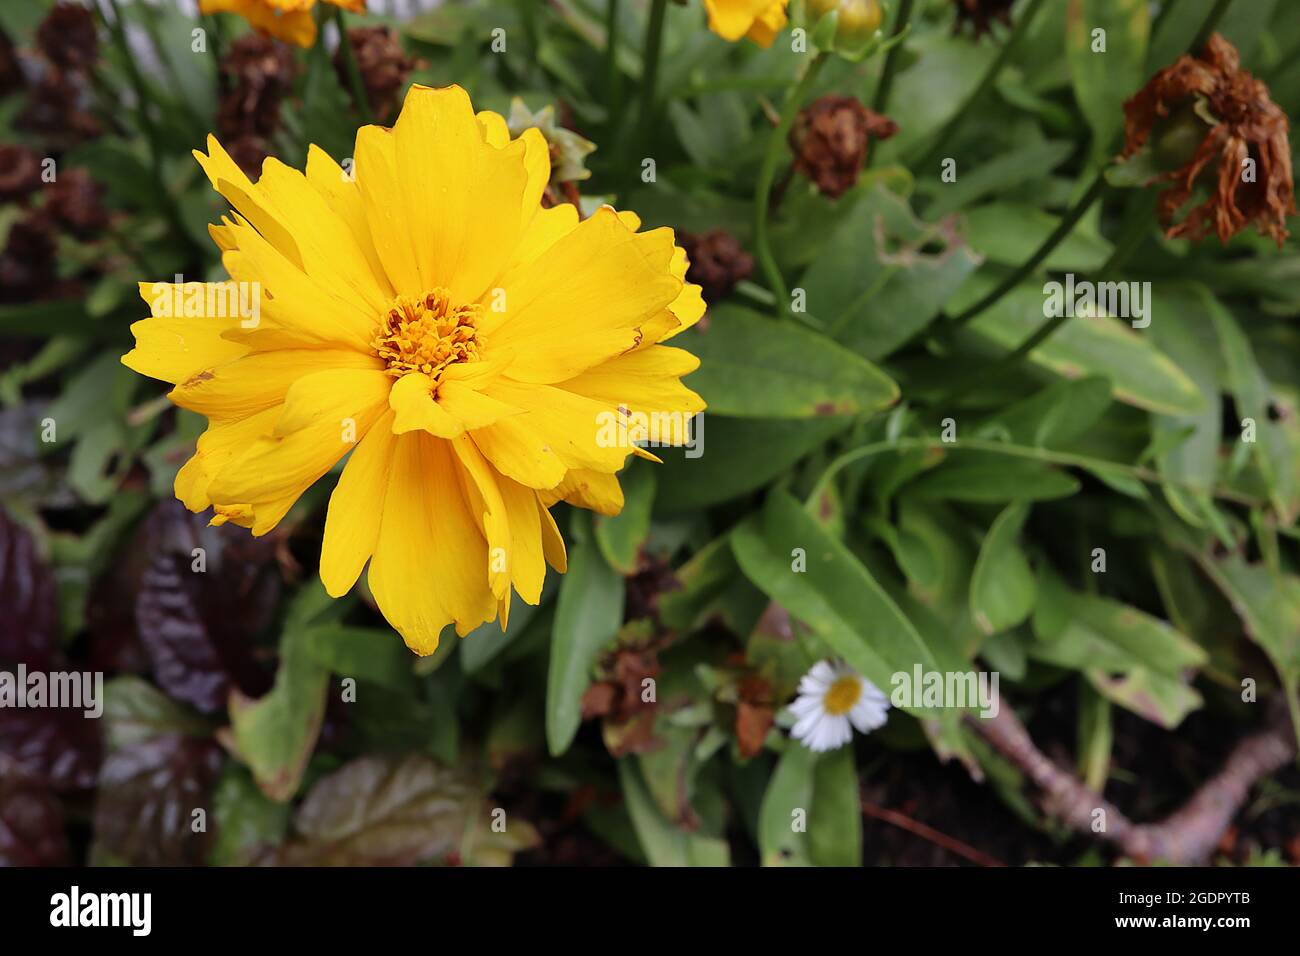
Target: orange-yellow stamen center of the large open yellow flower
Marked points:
427	335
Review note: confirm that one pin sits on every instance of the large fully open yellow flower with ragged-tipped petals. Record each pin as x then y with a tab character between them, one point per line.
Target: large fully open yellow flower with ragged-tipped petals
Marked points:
469	348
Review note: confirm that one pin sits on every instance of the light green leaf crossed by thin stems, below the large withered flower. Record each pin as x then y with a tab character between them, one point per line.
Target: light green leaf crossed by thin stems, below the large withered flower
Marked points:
1142	375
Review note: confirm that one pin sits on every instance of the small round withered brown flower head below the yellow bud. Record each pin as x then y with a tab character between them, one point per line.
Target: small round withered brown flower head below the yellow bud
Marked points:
830	140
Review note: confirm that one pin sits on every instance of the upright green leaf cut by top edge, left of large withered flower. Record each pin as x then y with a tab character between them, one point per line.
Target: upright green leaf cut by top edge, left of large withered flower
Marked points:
1104	79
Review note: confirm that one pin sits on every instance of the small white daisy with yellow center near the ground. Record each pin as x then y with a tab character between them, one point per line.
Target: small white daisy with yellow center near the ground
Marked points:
831	702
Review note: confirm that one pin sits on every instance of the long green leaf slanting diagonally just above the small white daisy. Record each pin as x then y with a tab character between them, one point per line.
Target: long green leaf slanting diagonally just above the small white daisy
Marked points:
837	598
